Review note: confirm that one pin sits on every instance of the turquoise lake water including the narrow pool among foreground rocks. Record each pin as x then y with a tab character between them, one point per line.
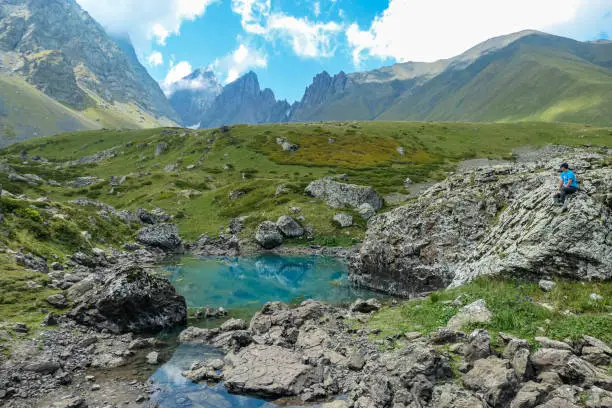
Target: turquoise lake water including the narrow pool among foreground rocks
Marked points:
242	285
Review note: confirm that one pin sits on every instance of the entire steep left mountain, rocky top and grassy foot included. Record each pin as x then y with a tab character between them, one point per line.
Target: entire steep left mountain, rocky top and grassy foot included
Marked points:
60	71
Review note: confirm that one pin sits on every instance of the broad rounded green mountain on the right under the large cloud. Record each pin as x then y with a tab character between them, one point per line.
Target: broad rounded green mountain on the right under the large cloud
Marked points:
536	78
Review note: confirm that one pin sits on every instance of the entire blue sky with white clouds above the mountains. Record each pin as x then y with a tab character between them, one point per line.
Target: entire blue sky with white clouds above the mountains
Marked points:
287	42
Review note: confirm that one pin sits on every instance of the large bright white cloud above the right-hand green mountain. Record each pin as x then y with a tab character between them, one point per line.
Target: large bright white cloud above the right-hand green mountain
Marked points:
412	30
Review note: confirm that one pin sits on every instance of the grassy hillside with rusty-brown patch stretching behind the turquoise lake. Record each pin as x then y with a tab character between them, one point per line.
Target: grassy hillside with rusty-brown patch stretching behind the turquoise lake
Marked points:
247	158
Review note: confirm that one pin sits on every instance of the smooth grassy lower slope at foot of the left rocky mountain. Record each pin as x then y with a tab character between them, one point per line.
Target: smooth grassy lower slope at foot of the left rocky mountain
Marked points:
25	111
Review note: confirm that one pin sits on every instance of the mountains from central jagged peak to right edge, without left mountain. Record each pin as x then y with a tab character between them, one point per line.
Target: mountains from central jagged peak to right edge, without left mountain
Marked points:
525	76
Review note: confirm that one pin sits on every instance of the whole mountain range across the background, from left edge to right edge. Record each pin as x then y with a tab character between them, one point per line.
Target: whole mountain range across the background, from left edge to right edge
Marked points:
60	71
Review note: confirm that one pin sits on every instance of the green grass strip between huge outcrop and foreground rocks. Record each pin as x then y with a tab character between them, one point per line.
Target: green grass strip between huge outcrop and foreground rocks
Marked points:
518	308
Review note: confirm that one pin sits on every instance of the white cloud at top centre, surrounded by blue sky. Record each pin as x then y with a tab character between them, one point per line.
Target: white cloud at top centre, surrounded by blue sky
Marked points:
307	38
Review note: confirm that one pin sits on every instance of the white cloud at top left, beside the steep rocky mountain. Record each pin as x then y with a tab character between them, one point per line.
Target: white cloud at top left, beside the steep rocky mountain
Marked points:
145	20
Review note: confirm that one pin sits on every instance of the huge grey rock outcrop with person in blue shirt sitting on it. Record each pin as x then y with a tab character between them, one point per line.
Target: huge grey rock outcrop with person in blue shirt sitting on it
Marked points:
492	221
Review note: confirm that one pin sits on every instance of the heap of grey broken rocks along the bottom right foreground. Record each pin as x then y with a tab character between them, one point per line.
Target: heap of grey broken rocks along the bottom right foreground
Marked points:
315	353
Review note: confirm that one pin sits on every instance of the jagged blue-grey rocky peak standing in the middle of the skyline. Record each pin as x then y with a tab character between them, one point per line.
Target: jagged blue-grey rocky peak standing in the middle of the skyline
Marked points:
243	101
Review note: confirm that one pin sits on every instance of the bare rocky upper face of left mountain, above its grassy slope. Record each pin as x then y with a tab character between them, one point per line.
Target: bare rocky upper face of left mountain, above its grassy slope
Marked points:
57	47
